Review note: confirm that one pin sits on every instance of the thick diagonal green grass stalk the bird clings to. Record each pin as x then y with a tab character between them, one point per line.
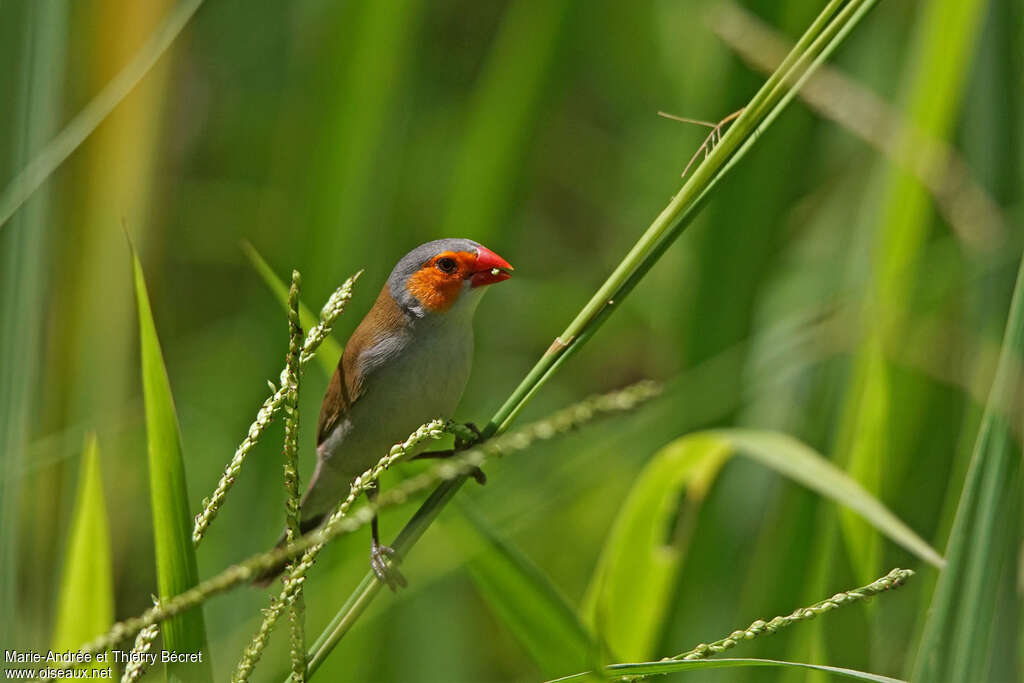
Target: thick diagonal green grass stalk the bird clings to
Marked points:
826	34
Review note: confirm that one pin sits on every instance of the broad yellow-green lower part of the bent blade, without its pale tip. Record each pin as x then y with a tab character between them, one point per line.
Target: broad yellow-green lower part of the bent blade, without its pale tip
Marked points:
630	593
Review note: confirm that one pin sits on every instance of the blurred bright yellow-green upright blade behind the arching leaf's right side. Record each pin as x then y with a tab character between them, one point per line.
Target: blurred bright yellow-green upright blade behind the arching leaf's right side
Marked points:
934	91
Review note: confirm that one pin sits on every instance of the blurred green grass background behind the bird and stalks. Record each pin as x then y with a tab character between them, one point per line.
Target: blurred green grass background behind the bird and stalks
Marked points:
338	136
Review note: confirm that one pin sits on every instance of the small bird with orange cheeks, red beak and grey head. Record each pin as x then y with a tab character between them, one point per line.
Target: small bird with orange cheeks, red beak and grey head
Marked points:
407	363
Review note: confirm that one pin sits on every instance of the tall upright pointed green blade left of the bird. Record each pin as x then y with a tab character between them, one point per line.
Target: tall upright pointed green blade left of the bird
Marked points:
177	569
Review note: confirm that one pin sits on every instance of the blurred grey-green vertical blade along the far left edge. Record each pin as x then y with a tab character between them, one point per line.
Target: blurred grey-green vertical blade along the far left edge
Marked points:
35	50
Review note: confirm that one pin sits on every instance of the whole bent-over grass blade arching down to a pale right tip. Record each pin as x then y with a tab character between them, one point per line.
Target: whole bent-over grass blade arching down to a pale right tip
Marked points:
648	544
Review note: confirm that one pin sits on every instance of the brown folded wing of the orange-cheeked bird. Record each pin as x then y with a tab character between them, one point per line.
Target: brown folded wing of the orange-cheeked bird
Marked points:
348	383
